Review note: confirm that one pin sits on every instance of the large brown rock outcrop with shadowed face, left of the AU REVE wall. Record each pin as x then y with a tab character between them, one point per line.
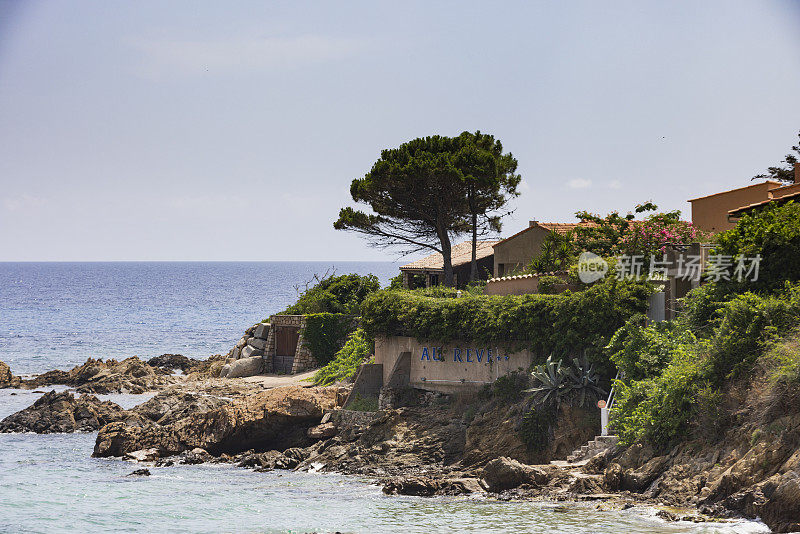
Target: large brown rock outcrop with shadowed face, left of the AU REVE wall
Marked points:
266	420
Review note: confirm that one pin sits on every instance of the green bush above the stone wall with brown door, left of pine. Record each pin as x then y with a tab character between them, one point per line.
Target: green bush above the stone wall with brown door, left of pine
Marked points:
337	294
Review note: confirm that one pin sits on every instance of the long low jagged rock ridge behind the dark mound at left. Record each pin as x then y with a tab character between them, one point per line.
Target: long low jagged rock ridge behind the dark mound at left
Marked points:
111	376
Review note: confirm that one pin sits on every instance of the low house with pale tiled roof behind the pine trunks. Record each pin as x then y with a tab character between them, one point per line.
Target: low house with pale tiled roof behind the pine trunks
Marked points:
429	271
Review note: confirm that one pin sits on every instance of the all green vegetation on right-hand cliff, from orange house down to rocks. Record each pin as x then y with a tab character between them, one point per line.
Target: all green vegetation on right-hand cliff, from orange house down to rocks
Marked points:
678	375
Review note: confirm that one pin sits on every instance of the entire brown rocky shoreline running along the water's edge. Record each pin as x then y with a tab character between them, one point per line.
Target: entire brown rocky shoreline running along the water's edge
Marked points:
430	445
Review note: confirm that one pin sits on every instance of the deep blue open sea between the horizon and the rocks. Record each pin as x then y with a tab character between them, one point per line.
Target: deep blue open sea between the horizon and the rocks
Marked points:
55	315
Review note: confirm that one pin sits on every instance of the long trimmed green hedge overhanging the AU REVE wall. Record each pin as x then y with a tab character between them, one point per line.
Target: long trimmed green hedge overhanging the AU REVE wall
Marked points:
565	323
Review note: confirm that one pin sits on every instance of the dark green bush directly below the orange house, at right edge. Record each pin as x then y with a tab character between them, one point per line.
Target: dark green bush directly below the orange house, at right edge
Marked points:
773	232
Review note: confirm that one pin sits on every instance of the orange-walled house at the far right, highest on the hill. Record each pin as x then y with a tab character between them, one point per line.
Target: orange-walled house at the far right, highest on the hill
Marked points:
719	211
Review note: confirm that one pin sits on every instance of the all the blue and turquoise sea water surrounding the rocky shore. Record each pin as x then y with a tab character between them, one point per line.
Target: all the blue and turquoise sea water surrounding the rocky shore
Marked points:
56	315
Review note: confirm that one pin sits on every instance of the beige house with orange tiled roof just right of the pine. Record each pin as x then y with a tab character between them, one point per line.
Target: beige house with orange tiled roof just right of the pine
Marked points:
517	251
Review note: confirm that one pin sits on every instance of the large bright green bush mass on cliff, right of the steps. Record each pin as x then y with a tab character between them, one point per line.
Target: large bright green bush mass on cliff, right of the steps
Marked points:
662	406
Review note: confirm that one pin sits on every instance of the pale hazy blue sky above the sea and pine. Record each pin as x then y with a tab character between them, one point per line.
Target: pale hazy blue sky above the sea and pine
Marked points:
210	131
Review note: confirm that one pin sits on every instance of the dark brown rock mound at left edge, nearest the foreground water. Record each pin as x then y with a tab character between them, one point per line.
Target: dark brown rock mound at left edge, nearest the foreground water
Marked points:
62	412
